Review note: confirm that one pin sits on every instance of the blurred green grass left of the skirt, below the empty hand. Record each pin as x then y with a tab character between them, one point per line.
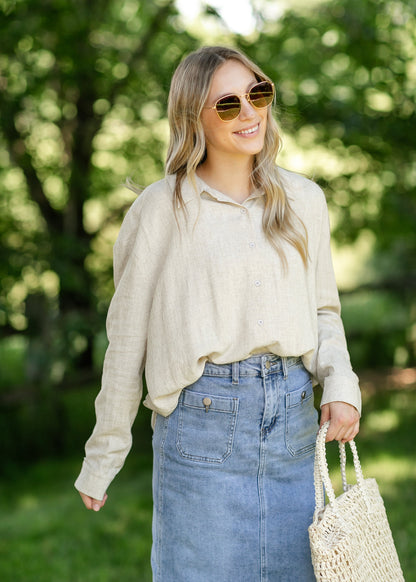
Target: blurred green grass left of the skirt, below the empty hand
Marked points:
47	536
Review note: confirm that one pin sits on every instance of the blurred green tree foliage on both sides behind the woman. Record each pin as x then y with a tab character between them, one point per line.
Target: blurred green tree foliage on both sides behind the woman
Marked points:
83	88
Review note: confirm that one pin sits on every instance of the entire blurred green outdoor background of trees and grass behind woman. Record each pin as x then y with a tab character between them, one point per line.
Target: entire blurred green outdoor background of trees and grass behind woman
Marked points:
83	90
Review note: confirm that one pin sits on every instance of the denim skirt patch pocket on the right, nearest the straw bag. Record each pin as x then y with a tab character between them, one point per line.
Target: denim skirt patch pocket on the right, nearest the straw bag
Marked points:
301	421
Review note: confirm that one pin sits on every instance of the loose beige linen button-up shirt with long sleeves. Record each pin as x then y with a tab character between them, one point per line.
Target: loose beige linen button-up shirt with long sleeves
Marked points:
209	286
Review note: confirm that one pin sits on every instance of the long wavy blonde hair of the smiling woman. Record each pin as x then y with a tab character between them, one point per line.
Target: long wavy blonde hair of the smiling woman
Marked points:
189	90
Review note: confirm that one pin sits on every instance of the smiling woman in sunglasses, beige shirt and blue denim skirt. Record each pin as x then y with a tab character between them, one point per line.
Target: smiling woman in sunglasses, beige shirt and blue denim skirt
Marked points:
225	294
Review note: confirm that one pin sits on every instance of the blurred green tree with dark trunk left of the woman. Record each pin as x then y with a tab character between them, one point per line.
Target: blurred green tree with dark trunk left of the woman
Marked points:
82	87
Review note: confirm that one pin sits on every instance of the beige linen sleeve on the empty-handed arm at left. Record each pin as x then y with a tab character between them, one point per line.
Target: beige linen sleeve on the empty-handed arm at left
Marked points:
121	391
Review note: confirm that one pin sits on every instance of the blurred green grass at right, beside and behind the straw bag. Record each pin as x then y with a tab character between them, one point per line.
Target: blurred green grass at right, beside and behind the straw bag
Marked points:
386	447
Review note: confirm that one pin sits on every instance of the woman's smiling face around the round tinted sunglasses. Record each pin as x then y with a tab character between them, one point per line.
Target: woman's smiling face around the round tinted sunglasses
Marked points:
243	136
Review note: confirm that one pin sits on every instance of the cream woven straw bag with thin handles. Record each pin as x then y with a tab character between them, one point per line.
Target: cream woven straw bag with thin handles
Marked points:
350	537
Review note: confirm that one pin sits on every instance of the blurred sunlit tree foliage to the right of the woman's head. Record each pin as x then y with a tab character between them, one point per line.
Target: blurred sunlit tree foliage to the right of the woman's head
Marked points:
346	79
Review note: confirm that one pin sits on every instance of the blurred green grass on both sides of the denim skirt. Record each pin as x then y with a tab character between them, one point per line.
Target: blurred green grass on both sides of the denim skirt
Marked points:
47	536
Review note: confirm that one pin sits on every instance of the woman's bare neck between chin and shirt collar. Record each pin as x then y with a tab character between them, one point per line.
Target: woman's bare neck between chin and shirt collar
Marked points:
232	177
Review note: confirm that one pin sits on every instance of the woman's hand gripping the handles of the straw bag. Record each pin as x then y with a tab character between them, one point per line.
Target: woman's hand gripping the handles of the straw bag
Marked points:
345	421
